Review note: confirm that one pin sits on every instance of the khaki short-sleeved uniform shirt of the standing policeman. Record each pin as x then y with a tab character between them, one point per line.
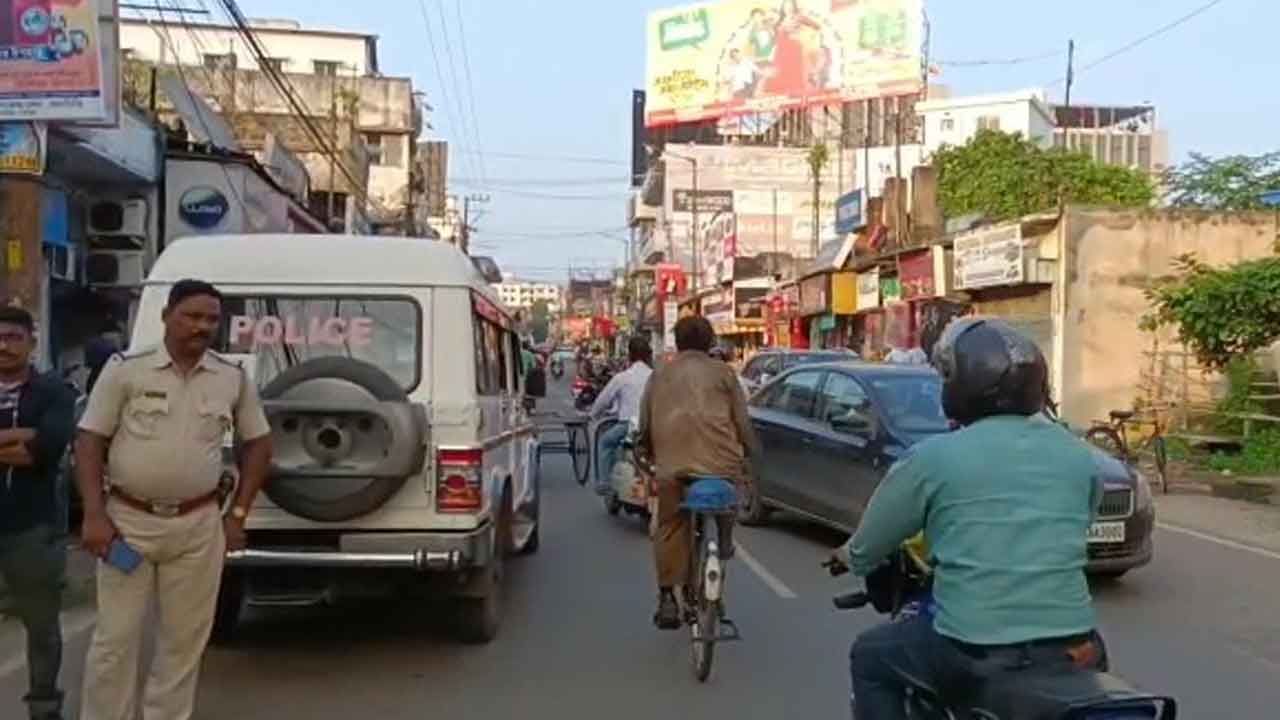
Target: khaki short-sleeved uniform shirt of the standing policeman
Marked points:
168	431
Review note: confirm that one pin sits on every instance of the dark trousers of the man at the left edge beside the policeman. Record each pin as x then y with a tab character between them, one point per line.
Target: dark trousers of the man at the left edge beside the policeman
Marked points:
34	566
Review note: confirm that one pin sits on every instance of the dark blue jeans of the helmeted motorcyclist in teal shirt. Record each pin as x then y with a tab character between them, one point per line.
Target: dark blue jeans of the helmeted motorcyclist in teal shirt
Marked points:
884	658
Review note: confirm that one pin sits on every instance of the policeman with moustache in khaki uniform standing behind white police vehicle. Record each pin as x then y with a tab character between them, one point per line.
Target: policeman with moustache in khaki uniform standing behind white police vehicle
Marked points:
164	413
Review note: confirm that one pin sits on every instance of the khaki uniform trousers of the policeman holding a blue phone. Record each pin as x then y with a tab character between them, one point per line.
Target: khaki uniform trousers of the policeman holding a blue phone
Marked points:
182	571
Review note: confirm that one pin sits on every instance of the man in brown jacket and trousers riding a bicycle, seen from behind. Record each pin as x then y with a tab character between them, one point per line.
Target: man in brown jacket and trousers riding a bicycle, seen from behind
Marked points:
693	422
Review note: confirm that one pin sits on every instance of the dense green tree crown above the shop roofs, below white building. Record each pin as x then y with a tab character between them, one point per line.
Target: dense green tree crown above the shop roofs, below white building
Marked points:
1004	176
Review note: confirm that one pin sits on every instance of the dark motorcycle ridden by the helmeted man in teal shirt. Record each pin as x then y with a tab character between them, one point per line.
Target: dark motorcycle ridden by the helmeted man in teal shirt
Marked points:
903	589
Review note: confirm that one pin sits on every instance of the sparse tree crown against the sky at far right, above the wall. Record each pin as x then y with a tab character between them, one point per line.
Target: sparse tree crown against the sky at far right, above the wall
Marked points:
1235	183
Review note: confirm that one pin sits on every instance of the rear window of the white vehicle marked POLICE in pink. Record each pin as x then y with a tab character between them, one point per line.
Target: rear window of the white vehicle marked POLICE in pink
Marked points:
280	332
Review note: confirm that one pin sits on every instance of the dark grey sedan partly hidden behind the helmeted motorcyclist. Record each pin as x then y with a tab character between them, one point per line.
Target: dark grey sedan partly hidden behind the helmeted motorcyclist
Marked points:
831	431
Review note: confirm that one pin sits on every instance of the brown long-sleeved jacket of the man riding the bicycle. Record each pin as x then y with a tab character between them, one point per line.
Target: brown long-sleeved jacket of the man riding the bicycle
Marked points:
694	420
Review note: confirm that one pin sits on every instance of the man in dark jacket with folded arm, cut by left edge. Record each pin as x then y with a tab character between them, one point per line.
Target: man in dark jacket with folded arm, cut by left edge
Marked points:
36	423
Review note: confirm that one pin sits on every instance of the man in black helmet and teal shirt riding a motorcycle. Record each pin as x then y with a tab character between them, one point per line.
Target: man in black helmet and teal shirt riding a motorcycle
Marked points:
1004	505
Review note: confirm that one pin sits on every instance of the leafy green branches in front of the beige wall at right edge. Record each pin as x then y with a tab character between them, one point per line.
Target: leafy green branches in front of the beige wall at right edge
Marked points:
1220	313
